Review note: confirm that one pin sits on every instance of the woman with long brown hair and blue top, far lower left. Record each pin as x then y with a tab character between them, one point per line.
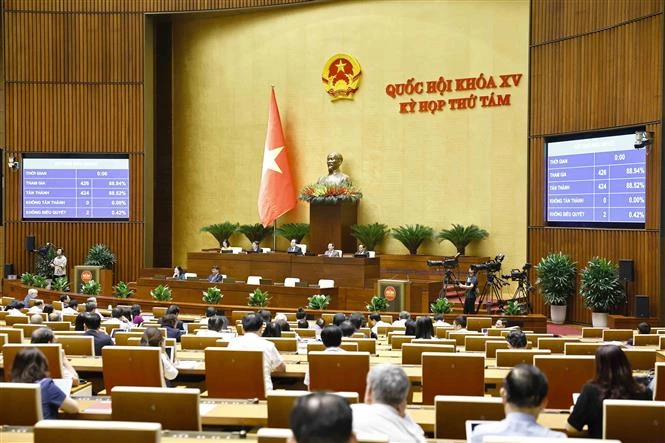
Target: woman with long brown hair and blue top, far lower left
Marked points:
30	366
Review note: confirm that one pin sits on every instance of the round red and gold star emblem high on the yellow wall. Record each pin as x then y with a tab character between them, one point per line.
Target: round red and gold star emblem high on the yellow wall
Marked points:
341	77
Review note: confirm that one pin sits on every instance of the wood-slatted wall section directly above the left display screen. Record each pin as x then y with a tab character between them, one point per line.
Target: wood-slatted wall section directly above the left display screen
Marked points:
74	117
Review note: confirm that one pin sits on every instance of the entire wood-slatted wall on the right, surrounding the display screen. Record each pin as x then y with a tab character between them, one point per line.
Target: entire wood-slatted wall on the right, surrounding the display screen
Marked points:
596	66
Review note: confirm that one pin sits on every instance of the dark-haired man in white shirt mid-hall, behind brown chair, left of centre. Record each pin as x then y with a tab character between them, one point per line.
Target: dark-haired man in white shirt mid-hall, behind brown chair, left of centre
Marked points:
253	326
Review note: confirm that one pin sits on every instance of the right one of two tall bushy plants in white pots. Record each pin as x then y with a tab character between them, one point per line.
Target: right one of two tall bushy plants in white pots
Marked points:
601	289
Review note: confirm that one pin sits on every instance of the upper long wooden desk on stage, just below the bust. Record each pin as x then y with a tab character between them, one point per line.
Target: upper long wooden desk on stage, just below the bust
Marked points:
348	272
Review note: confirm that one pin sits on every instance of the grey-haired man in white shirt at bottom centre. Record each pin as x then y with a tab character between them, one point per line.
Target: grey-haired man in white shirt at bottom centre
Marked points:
384	410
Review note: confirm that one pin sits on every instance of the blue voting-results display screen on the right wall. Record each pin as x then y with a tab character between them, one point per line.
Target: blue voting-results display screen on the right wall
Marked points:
596	181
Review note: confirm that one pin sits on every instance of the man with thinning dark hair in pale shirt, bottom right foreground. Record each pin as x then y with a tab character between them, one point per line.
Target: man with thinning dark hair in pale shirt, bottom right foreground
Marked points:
524	395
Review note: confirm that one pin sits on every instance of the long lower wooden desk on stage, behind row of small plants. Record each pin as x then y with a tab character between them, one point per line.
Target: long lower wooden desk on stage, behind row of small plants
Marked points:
190	291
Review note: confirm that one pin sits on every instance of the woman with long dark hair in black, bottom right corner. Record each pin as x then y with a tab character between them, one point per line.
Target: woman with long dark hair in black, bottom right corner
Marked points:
613	380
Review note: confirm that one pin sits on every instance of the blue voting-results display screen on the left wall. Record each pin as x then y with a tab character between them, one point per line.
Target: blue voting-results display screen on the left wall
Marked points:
75	187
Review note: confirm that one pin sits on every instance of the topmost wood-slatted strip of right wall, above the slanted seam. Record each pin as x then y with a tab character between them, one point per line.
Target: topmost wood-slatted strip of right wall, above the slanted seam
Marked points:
556	19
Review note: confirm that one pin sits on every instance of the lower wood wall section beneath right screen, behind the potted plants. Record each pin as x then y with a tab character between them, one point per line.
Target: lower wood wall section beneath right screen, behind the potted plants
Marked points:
582	244
